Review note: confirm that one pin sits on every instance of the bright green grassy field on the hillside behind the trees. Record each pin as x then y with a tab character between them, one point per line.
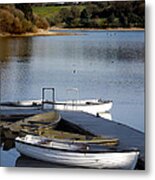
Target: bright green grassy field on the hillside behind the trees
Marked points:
50	11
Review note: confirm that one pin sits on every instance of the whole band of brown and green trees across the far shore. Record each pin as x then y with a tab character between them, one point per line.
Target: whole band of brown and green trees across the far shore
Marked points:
20	18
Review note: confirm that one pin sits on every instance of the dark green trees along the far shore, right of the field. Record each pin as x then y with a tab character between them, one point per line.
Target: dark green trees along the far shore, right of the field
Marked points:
125	14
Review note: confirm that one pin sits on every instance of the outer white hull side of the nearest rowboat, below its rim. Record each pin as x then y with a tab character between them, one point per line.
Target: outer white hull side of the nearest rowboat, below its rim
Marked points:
100	160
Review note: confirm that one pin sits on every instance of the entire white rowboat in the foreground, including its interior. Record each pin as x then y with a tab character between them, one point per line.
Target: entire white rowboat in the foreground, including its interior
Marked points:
80	155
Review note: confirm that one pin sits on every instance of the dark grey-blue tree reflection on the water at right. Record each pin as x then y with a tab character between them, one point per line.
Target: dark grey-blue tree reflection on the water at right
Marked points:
114	50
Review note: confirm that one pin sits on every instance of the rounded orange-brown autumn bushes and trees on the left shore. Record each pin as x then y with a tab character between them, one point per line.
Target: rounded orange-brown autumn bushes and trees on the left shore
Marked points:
19	18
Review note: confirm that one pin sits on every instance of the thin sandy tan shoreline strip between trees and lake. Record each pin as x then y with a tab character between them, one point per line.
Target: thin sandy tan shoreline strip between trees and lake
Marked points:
49	31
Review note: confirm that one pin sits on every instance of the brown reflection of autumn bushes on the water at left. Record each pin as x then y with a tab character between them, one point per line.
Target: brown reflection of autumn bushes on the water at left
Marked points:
15	47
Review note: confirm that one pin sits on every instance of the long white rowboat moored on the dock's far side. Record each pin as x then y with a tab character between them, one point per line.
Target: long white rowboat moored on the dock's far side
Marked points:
91	106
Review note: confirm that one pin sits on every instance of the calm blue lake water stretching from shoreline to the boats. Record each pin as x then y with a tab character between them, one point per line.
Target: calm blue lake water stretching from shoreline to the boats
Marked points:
101	64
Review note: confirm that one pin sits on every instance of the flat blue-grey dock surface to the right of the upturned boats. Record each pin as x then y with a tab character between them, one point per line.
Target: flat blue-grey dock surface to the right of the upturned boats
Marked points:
129	137
